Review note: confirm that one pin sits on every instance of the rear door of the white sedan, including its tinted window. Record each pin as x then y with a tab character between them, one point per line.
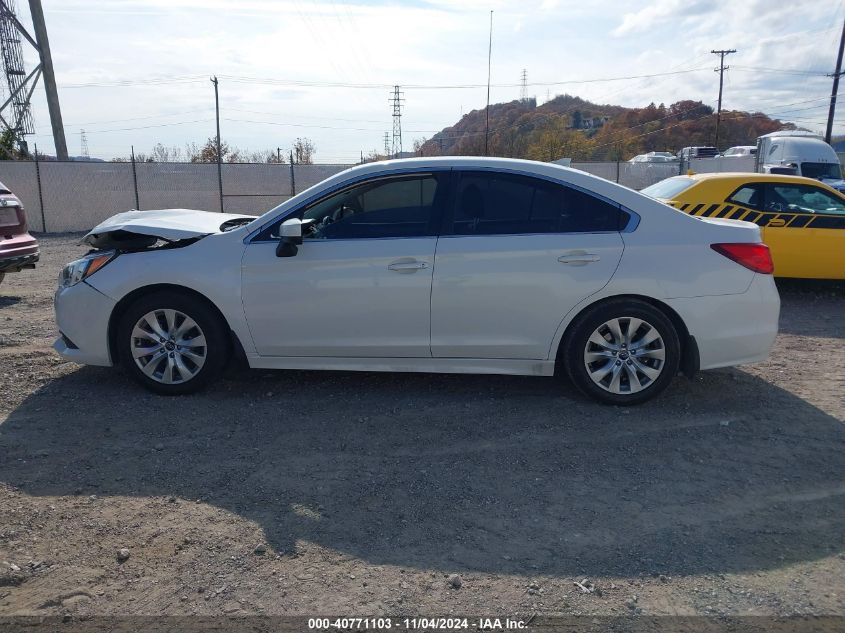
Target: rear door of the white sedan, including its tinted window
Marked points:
516	253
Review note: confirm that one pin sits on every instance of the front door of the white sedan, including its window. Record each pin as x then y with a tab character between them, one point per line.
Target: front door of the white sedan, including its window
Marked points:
360	284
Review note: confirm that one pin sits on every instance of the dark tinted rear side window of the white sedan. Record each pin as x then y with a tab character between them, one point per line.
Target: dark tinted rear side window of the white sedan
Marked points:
506	204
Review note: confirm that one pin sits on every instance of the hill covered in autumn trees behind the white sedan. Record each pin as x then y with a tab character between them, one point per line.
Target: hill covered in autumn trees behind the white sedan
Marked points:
570	127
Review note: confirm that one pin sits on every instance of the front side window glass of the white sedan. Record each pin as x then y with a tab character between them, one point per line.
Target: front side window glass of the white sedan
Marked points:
402	206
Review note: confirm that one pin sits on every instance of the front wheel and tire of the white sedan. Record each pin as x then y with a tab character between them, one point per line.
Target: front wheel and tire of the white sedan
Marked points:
187	340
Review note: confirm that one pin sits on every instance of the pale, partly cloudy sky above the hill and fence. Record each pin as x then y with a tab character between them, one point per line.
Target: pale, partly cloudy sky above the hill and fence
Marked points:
136	72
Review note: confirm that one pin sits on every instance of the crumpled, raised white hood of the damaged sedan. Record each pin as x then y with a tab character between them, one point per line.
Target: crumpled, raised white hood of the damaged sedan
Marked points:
166	224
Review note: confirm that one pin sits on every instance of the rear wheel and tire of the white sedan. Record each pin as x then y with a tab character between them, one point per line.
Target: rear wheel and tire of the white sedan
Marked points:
639	364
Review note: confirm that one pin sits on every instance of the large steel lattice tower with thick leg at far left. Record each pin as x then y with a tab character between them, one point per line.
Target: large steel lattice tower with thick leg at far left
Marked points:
21	85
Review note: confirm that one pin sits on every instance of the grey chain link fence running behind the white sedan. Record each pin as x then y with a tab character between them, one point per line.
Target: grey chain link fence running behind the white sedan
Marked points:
77	195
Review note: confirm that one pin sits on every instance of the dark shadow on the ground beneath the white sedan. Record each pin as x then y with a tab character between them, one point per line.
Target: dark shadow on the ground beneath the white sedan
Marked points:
483	473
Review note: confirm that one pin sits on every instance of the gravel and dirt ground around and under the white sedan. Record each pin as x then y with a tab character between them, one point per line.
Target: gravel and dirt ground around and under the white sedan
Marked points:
355	493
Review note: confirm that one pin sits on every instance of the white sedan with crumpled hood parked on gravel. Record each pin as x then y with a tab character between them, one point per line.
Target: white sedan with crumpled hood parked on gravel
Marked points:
458	265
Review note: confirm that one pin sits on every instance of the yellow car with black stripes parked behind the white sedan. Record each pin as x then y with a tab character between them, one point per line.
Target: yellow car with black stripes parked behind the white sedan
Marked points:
802	220
